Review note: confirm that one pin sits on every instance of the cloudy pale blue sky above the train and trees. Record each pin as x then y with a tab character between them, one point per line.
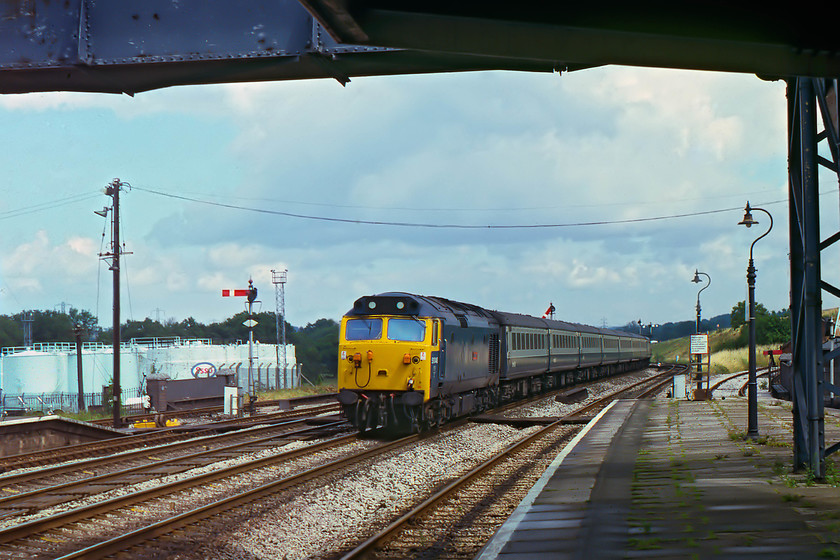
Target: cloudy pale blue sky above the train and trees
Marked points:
600	191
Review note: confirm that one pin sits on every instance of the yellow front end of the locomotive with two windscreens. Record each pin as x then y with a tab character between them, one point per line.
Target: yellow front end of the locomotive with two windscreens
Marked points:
386	363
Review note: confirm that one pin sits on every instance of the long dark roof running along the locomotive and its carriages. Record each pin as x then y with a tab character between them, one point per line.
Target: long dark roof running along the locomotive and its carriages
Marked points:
434	306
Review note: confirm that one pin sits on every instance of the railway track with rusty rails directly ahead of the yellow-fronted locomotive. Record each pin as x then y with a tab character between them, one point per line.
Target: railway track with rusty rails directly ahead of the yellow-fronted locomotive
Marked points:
52	535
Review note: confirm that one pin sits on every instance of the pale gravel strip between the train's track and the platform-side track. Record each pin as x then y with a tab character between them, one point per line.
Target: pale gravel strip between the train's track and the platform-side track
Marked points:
343	510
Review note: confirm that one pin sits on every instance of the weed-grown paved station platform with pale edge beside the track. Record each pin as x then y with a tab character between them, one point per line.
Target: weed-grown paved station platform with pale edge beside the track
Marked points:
670	479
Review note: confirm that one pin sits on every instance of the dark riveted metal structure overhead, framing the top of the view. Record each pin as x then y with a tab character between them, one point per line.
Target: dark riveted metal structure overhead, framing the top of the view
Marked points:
133	46
